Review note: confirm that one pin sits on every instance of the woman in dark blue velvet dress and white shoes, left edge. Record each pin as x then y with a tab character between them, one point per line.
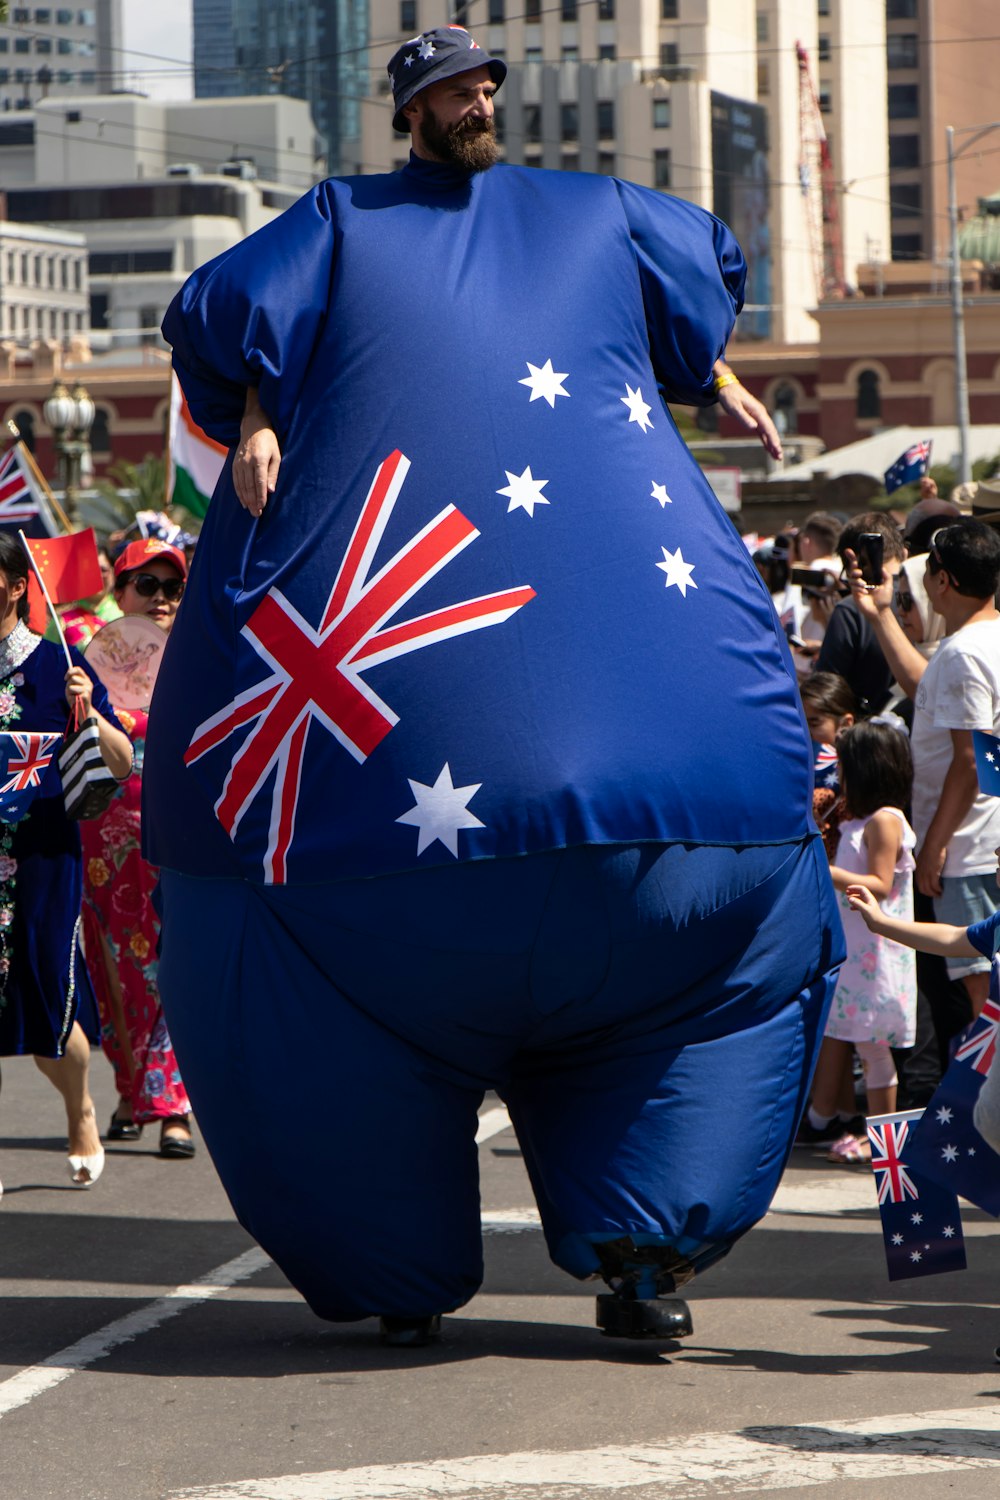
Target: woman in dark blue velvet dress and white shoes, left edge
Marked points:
44	991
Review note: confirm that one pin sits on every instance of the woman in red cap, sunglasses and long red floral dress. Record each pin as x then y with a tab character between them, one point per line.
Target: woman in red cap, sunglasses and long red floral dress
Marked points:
121	925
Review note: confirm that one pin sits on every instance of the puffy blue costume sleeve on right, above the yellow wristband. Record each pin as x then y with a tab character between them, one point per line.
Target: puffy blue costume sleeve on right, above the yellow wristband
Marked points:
692	274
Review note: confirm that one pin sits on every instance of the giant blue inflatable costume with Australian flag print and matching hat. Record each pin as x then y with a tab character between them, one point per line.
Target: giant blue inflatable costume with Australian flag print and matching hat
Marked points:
476	763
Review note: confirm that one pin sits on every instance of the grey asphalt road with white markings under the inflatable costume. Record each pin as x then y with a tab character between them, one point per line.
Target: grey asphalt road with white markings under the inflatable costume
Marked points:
149	1352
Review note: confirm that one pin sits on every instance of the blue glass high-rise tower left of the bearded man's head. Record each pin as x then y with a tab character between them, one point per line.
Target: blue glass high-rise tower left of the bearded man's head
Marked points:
314	50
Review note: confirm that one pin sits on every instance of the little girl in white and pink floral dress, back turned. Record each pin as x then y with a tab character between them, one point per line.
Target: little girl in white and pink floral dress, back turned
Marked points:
875	1003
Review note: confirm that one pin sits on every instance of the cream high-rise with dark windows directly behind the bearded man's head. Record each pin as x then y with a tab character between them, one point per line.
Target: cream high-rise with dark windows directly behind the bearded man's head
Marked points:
701	98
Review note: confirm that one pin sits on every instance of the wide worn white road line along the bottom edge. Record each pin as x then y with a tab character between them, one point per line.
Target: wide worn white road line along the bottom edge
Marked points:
701	1468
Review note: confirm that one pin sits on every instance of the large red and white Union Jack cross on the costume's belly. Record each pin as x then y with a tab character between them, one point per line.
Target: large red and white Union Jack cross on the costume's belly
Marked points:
317	674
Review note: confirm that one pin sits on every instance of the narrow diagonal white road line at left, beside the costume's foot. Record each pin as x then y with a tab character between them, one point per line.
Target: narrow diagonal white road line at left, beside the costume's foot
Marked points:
37	1379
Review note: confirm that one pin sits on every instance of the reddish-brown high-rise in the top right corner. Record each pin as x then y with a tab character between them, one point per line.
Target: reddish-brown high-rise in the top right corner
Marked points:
942	71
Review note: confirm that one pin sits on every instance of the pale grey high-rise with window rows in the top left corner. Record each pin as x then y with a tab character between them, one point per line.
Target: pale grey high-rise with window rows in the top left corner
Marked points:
47	52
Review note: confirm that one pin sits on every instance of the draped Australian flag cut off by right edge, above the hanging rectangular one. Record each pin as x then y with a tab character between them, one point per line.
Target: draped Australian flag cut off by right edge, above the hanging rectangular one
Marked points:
947	1148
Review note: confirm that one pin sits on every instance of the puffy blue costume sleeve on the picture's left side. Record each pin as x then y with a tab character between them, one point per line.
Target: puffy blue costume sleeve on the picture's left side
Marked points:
253	317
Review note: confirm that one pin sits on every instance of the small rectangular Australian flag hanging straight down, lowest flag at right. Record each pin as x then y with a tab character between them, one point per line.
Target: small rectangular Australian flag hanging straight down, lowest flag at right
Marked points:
921	1223
